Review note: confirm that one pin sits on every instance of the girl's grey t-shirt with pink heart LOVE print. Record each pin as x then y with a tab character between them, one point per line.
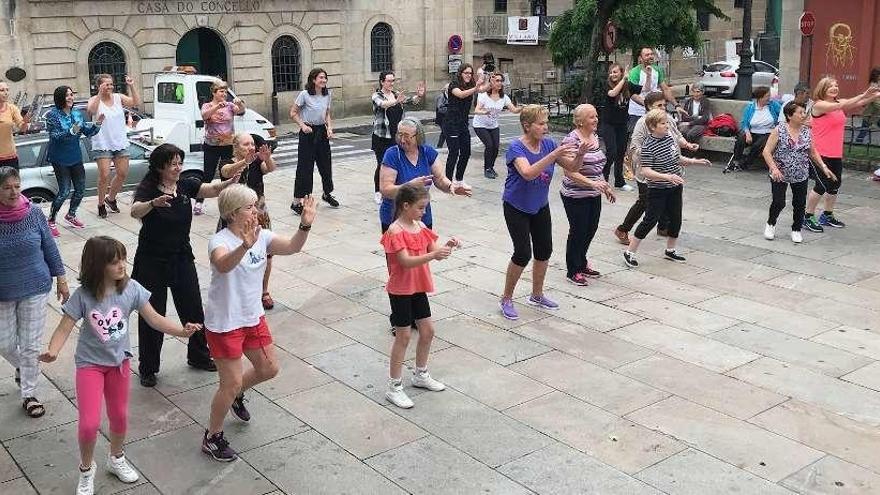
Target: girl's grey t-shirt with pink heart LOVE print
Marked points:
104	333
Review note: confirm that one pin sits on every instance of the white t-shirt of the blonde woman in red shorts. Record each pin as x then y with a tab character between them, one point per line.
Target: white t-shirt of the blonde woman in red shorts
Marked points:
234	297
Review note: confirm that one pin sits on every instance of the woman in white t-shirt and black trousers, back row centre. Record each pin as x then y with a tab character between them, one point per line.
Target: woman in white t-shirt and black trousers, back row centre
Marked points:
489	107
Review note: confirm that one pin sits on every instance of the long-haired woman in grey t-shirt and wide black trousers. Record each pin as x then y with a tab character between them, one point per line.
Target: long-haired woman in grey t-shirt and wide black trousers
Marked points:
311	110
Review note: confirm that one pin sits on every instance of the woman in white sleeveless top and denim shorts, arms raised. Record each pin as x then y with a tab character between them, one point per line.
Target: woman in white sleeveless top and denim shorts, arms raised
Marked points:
111	143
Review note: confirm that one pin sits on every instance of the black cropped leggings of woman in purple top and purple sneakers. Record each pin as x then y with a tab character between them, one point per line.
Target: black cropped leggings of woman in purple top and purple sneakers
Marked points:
529	232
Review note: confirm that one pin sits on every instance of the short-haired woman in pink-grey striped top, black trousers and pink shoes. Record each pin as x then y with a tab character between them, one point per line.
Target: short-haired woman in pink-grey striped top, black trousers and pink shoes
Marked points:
582	190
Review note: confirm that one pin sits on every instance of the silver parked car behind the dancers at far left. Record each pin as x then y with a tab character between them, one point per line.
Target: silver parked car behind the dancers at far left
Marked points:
38	177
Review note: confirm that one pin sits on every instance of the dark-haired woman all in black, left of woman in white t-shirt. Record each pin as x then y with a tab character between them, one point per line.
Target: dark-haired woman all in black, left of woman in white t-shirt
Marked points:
455	124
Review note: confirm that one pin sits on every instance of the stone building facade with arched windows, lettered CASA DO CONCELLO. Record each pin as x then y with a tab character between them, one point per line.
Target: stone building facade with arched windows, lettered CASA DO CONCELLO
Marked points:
260	46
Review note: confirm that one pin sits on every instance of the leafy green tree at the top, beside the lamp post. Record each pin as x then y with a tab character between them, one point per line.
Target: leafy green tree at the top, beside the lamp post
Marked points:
667	23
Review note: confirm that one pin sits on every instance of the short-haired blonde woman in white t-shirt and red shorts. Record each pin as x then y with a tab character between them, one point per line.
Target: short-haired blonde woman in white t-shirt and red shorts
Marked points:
235	322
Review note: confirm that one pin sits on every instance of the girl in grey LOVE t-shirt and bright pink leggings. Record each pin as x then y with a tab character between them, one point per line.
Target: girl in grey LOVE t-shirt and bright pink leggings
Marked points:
105	300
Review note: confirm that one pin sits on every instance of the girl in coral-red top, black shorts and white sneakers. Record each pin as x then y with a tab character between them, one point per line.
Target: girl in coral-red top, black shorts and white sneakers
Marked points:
409	246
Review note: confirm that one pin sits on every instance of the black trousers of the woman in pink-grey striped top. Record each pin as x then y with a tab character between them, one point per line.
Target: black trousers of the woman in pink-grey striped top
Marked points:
583	221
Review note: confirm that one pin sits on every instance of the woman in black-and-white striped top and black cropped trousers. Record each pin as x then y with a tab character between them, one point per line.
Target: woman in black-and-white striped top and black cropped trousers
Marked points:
661	163
